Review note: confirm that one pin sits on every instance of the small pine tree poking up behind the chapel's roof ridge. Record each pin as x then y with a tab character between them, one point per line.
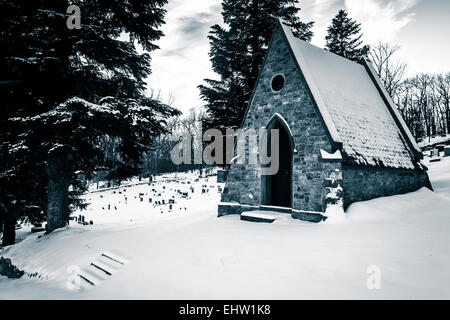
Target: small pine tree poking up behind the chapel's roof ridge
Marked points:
344	37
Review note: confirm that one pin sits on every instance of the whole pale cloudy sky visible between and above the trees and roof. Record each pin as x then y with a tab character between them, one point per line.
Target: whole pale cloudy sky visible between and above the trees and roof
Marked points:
420	27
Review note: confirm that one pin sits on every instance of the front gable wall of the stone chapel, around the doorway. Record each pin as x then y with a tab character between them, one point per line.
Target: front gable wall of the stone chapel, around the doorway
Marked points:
296	105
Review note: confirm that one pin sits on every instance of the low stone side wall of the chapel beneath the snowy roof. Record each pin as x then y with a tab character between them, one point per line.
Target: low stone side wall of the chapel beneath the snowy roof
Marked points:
365	183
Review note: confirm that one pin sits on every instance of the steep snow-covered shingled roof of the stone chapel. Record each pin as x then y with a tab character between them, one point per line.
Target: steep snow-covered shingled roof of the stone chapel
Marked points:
356	111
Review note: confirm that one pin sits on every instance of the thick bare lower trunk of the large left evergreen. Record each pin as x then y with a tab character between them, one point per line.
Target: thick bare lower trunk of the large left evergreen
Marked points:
58	192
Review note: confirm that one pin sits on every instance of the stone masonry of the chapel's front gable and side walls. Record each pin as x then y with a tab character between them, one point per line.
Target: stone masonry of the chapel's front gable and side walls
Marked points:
310	172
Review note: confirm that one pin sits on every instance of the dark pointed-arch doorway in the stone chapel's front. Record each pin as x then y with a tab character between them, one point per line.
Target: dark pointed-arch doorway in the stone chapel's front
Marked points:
277	188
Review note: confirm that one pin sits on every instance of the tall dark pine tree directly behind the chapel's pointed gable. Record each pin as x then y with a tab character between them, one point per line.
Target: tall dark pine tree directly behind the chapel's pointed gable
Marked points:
237	53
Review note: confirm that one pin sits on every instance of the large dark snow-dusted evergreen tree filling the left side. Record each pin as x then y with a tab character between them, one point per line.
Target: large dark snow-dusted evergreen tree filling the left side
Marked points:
57	83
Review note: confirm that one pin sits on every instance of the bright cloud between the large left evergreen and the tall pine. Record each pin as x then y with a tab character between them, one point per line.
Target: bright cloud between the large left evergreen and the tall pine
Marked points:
182	62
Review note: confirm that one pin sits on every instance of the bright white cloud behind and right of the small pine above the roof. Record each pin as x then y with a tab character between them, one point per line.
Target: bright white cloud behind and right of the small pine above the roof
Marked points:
381	20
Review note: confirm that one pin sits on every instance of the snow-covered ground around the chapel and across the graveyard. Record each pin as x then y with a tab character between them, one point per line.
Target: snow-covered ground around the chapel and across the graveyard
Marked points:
401	243
